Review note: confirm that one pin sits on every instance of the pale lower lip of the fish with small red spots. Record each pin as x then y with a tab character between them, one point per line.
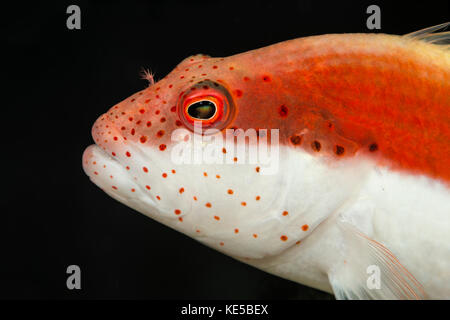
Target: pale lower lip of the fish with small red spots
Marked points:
112	177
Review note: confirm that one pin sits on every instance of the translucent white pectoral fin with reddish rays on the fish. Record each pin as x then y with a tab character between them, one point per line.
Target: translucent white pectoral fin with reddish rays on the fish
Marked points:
371	271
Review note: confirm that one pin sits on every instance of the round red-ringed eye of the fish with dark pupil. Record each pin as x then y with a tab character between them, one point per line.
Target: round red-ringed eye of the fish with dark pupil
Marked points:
206	103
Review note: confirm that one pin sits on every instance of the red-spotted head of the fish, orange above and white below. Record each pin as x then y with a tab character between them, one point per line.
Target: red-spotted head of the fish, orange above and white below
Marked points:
174	152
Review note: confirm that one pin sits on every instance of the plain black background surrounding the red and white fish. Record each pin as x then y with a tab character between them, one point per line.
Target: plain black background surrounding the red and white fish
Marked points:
58	81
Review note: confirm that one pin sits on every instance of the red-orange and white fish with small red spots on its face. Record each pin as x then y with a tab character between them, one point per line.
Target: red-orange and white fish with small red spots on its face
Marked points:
324	160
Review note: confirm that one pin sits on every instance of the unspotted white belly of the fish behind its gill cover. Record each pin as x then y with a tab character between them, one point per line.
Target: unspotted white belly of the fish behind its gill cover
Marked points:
409	215
